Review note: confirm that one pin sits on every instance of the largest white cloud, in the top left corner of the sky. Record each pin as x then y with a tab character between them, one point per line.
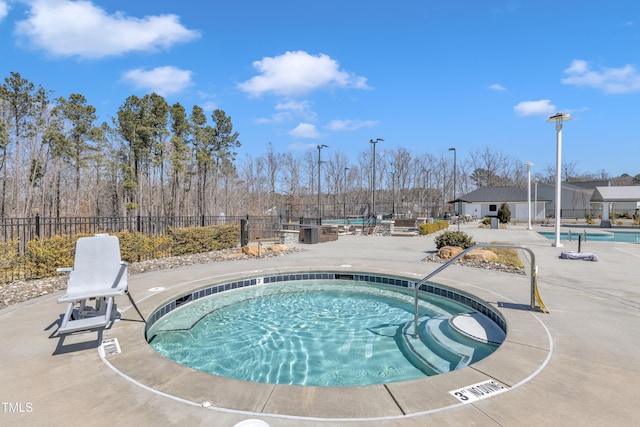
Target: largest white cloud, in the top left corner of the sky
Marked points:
79	28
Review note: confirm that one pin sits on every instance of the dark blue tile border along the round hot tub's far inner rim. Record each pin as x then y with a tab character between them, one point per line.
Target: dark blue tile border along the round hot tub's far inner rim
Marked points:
430	288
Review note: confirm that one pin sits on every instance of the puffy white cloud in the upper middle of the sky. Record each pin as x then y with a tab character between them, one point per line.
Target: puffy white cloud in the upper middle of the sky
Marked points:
298	73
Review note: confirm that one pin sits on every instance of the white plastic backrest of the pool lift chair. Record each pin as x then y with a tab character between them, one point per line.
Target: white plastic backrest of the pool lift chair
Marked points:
97	263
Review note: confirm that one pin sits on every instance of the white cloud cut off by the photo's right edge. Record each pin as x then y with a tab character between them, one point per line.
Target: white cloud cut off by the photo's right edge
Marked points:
610	80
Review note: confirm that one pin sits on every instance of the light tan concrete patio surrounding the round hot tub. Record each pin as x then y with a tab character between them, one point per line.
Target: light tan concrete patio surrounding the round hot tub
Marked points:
577	365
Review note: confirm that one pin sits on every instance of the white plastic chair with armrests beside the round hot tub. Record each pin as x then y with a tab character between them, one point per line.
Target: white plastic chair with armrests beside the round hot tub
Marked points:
98	274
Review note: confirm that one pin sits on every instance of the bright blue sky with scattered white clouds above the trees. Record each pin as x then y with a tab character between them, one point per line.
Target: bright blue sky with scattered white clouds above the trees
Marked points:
423	75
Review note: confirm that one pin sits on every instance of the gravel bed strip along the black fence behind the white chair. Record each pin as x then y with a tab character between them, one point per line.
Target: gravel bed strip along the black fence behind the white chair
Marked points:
19	291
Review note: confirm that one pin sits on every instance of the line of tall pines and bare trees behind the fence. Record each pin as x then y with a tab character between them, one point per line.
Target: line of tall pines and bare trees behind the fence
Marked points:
156	159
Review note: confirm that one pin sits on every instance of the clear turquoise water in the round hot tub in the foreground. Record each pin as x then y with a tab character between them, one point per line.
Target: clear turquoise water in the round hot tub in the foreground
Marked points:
315	333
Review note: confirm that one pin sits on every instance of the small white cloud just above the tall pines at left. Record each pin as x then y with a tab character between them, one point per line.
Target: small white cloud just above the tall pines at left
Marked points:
162	80
